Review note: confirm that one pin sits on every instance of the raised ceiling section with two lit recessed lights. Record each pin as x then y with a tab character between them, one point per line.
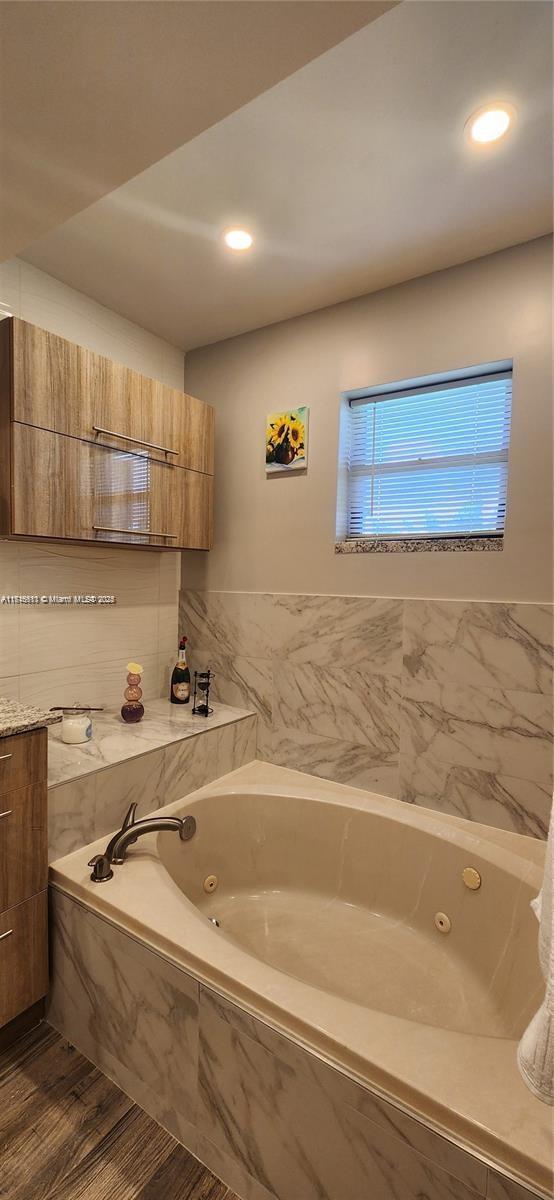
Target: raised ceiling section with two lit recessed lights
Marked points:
353	175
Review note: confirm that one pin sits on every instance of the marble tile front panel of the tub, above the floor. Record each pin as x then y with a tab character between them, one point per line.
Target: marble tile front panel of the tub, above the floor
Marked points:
272	1119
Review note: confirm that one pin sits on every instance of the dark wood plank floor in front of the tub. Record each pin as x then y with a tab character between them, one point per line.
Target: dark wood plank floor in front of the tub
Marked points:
69	1133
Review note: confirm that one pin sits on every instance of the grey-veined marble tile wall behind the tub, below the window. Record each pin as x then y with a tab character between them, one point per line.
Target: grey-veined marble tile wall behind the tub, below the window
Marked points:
443	704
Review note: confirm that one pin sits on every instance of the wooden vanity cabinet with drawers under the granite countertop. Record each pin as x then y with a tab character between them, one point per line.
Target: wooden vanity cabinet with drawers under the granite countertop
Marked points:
23	874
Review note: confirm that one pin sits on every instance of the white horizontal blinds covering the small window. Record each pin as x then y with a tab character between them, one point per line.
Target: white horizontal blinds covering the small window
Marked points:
431	461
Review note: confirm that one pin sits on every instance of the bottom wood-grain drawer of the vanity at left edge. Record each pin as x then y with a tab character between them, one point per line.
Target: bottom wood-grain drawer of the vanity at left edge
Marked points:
23	957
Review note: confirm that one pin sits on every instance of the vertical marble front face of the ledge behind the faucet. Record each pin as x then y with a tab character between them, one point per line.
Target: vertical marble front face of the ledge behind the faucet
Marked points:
85	809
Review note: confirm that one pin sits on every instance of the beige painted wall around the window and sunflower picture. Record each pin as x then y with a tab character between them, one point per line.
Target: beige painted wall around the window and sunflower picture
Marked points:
278	535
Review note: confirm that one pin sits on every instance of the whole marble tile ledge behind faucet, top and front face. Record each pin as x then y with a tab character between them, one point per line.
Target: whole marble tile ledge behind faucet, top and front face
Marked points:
152	764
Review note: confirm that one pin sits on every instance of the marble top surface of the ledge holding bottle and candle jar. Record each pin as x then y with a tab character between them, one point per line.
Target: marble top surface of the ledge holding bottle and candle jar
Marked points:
115	742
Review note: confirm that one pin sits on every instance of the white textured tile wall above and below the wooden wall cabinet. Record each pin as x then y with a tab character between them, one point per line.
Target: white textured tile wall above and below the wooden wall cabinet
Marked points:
55	656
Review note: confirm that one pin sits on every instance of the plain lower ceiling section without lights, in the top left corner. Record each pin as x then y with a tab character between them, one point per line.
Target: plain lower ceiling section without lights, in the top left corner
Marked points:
92	94
